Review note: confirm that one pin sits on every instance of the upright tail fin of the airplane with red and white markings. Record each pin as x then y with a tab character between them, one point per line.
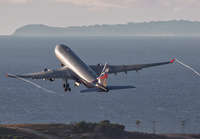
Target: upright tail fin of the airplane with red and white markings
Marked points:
102	80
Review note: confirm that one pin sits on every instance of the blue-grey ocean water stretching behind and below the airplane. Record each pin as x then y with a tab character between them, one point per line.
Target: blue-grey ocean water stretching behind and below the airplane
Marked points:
166	94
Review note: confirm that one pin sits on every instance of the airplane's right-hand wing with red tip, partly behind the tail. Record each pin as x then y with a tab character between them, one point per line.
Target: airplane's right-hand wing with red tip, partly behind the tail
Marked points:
124	68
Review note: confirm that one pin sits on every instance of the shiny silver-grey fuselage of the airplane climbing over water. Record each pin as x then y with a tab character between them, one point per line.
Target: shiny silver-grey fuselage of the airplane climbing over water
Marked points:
80	71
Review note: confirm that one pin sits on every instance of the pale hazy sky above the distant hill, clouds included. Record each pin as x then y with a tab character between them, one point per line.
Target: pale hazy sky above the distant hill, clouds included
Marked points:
63	13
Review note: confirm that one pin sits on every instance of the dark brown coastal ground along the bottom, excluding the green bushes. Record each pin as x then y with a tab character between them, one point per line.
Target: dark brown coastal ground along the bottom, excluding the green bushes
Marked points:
57	131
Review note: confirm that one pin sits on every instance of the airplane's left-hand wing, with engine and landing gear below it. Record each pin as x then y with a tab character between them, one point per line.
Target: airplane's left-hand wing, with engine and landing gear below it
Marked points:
62	73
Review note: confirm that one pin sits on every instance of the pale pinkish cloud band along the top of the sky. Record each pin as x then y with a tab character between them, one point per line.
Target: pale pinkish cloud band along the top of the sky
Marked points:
132	3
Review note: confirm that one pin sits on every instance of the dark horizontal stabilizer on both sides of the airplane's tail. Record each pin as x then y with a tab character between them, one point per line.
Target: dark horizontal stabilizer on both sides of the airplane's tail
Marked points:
96	89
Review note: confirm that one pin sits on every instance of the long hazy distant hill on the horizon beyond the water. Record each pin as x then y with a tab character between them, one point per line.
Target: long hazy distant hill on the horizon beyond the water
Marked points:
153	28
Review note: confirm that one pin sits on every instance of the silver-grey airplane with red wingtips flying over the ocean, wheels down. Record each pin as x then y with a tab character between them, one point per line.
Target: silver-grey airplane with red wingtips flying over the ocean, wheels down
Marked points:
93	77
